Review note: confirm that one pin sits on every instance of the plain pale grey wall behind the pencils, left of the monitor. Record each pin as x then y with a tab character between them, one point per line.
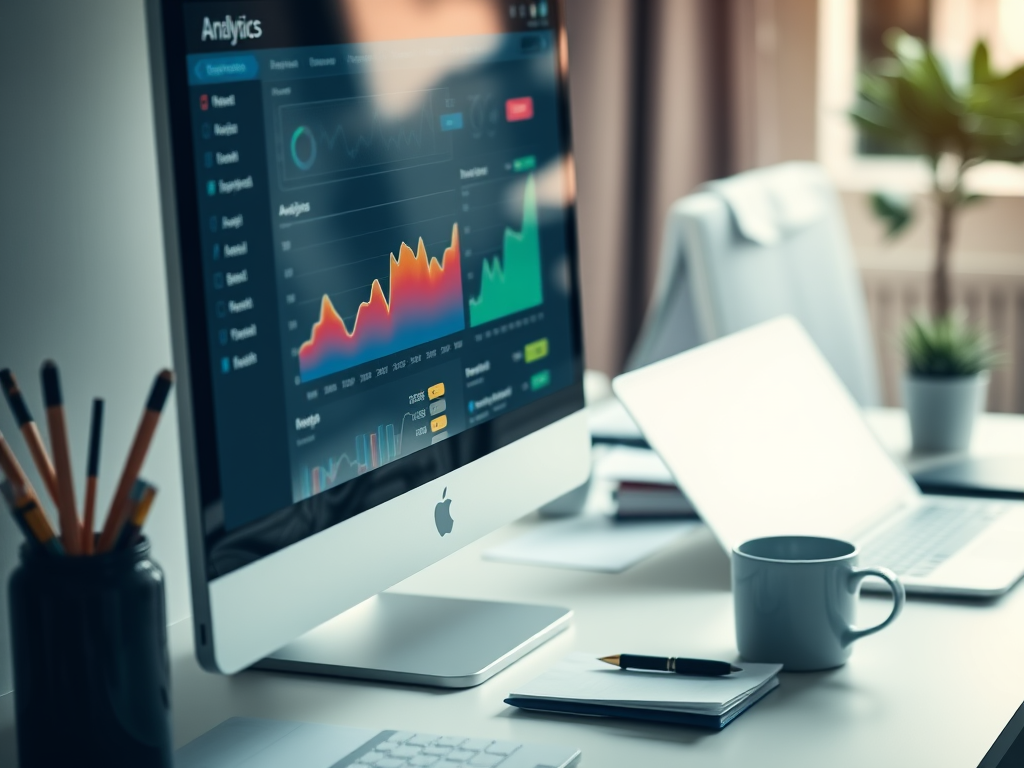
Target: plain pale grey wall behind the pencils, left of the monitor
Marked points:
81	257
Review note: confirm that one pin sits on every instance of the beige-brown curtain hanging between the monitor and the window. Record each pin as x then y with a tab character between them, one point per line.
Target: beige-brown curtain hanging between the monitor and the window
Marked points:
668	95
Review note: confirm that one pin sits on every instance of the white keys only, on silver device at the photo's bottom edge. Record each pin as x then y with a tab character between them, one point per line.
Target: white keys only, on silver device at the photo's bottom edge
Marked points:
402	749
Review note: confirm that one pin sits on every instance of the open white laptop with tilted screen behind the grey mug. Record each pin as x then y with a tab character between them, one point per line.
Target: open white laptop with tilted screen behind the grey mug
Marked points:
766	441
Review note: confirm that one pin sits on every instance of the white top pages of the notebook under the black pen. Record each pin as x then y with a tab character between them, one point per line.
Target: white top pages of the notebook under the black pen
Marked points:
580	677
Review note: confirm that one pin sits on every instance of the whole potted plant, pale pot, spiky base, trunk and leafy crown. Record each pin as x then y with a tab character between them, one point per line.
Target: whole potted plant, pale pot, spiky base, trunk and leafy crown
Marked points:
910	103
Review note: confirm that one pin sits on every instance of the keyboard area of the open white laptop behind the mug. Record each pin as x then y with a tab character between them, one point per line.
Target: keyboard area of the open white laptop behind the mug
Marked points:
918	545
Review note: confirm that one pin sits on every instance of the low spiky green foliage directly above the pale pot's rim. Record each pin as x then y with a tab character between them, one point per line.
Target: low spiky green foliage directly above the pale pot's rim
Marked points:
947	347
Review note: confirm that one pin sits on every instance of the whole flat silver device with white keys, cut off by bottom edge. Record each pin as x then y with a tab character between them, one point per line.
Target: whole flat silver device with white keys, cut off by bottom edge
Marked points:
252	743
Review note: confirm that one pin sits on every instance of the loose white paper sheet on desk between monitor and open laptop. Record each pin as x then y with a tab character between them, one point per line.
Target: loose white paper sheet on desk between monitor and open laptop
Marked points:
592	542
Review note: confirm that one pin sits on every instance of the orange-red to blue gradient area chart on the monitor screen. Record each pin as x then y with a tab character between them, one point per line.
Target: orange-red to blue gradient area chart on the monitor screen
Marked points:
424	304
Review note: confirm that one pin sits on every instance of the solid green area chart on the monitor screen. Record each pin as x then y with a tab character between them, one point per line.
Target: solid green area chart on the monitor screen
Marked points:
515	283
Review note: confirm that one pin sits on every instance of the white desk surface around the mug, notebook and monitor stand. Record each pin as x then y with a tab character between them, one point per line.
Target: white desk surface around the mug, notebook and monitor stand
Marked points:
933	691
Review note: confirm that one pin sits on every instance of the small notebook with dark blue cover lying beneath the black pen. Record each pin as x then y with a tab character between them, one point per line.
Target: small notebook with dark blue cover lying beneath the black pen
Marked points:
582	686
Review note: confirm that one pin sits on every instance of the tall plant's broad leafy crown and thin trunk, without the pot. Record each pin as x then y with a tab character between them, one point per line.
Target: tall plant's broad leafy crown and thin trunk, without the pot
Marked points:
911	103
